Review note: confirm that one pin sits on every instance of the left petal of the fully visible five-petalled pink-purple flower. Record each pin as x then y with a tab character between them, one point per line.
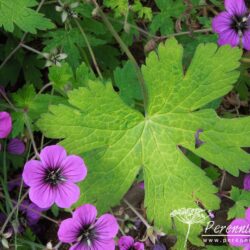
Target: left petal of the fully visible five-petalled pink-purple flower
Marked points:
33	173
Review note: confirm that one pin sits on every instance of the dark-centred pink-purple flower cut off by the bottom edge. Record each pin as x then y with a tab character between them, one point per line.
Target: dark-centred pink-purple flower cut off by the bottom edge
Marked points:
87	232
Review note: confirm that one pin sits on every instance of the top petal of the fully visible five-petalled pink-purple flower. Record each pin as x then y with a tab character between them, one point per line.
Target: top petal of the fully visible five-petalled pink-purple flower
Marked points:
53	156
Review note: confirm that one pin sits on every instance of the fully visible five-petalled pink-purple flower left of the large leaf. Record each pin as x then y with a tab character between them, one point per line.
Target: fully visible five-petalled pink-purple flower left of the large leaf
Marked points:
52	179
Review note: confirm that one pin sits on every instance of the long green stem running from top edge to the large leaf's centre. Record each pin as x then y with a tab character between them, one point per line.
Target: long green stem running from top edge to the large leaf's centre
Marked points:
126	51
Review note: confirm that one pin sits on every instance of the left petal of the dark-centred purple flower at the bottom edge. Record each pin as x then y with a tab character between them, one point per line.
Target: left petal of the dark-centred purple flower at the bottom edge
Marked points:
68	231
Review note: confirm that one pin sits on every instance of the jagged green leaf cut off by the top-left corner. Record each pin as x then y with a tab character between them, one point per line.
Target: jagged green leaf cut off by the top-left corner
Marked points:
19	12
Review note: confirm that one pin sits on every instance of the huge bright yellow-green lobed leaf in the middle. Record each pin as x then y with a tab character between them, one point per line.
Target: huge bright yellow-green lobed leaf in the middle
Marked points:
117	140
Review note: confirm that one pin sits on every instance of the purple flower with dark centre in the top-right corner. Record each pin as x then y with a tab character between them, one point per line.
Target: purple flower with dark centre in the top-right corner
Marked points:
233	24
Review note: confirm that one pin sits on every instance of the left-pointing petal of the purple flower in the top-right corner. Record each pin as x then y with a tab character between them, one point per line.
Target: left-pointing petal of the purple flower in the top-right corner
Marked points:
222	22
